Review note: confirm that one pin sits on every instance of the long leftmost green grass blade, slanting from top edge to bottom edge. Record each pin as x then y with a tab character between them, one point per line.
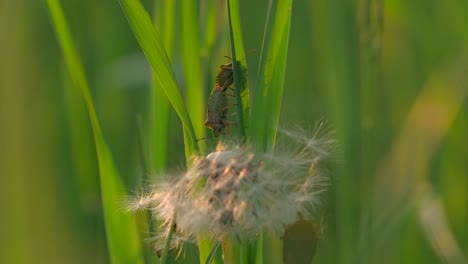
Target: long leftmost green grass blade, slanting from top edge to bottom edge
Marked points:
121	229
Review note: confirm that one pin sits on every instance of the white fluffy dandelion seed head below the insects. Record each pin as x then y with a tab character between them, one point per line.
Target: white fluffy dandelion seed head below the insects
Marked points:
235	193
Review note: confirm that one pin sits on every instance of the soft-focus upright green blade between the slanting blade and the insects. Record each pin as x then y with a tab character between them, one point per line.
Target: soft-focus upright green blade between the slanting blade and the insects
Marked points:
192	68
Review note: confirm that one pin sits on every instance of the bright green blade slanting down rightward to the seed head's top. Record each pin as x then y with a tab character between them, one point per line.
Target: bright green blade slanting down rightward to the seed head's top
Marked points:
153	48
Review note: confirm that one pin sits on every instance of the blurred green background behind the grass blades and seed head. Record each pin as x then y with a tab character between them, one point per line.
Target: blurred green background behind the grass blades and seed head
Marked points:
391	77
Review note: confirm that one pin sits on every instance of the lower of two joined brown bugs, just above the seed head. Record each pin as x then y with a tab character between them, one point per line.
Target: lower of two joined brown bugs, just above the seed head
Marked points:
216	113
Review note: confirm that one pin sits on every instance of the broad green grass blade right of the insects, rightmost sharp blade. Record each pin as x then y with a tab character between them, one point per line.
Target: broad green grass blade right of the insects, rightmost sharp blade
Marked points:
268	91
